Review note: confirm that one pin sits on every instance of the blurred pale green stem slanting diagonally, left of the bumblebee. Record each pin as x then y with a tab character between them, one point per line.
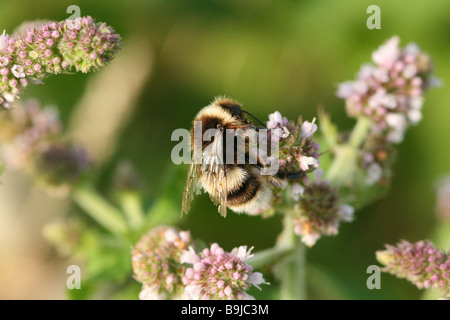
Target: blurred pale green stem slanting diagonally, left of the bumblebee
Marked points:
100	210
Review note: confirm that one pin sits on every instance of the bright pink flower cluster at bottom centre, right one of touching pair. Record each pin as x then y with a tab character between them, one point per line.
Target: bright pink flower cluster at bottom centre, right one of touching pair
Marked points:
216	274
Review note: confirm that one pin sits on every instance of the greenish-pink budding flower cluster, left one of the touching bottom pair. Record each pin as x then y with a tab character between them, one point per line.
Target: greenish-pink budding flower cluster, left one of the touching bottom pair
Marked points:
156	263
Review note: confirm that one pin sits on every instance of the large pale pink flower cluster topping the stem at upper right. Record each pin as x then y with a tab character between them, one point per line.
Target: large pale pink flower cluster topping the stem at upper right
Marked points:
390	92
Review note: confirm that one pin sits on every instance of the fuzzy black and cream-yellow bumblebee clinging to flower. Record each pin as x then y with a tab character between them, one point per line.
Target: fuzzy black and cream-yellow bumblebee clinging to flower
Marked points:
234	184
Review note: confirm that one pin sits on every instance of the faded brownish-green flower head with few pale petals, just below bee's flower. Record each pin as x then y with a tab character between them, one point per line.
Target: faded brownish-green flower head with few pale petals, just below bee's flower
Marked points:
318	211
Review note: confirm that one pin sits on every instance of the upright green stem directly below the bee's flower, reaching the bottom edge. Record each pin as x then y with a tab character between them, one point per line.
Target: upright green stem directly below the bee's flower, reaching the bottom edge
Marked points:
291	270
